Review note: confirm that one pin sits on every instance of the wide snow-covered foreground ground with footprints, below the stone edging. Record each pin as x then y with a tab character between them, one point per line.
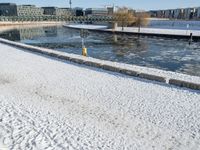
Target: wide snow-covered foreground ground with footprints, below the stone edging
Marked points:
50	104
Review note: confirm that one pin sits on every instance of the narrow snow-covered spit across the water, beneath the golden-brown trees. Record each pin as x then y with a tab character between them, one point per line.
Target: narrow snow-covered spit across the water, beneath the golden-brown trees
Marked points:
151	31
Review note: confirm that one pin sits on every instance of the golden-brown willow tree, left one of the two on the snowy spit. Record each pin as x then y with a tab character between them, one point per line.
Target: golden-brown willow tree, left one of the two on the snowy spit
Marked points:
124	17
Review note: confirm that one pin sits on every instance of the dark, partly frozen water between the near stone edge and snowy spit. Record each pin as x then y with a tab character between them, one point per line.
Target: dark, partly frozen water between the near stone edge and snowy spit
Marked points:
164	53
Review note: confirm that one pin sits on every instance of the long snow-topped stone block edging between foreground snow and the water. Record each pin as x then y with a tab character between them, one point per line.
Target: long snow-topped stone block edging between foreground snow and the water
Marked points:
103	65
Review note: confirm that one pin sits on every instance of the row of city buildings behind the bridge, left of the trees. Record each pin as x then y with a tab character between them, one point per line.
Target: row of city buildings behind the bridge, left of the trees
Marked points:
11	9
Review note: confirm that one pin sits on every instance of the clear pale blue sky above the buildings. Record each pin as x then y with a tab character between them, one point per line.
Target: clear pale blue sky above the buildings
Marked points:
135	4
